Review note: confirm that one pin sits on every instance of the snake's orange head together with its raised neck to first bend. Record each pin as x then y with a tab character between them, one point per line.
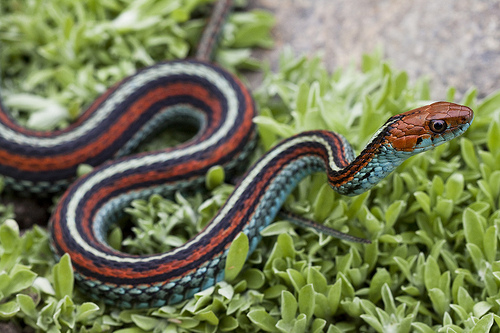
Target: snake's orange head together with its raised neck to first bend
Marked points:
401	137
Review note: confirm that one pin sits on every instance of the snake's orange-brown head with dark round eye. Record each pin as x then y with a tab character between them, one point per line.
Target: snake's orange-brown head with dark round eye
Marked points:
426	127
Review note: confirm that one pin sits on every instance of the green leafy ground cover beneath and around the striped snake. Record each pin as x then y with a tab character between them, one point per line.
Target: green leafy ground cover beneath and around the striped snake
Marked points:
432	265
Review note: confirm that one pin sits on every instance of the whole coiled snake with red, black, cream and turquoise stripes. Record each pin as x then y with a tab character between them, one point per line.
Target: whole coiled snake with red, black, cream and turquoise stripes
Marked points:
204	96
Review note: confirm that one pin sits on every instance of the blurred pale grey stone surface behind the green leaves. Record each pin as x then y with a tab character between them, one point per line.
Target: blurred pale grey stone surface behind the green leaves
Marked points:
453	42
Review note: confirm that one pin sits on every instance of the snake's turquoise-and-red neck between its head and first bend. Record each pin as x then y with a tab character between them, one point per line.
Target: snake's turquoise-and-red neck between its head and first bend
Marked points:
373	164
